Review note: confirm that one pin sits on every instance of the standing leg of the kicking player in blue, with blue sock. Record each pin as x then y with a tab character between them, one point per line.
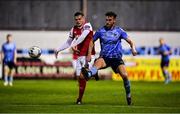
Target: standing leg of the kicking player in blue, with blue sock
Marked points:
122	71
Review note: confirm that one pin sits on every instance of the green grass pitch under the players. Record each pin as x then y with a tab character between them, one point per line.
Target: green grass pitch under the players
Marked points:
58	96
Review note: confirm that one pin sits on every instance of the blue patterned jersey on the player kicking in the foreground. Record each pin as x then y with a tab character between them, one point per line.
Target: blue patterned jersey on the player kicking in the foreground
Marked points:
110	41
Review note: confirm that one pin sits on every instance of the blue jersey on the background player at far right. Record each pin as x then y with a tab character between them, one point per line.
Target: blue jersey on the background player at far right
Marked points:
162	49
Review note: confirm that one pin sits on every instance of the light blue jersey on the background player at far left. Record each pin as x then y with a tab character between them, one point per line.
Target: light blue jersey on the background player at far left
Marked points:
8	50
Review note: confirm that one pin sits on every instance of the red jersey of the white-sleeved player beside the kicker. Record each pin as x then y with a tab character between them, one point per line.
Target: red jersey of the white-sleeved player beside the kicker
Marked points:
84	45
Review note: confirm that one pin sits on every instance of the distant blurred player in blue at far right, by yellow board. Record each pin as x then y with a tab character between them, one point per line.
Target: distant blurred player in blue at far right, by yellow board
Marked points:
165	52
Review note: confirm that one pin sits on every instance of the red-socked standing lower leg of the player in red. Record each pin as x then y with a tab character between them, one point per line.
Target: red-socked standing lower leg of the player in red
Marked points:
82	87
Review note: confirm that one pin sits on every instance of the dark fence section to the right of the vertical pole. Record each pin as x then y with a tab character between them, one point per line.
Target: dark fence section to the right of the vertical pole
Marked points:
138	14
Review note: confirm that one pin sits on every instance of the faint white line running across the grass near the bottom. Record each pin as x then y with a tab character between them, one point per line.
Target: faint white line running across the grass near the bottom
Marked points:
120	106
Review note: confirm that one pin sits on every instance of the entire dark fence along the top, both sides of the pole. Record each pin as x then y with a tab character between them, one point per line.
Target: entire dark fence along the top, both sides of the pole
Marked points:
154	15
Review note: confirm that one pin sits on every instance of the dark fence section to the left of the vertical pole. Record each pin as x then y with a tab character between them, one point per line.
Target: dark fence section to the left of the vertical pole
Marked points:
37	14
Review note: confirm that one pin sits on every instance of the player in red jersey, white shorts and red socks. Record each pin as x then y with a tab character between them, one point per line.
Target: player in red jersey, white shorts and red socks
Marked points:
82	31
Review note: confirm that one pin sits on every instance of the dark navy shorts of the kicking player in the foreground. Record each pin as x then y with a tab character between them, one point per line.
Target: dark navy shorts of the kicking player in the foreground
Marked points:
113	63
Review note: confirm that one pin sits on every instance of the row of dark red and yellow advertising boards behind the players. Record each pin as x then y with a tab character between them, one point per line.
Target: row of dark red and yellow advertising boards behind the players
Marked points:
140	68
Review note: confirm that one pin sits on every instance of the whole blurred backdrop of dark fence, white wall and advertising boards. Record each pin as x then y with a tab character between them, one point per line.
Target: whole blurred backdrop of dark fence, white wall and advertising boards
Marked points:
46	23
